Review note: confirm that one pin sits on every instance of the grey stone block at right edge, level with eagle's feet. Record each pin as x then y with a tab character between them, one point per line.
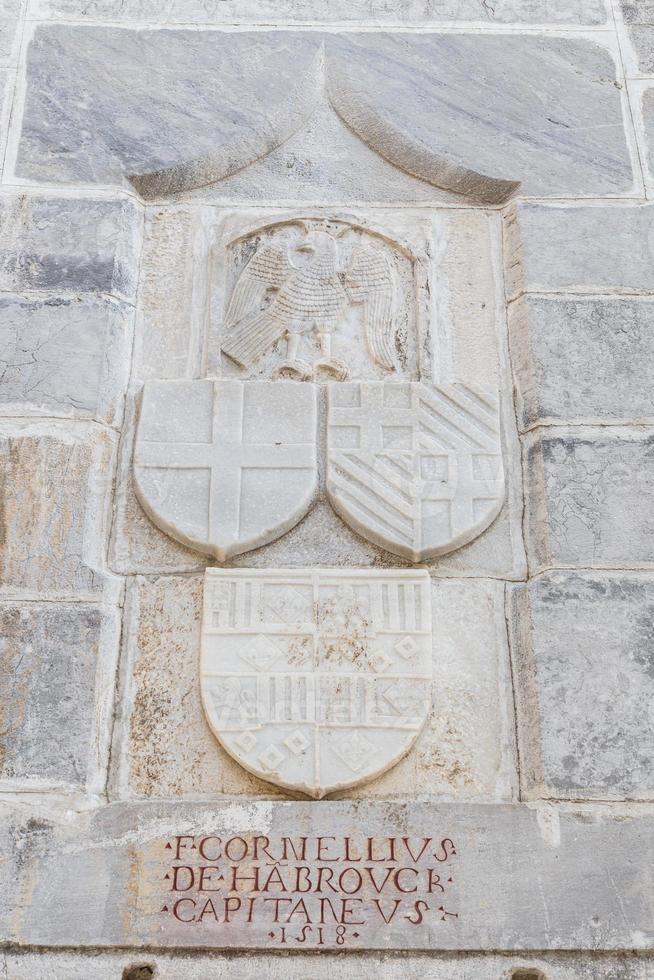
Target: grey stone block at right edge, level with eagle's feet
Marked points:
580	359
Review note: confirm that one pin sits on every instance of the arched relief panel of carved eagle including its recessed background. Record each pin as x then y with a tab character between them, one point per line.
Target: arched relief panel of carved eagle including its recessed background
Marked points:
298	289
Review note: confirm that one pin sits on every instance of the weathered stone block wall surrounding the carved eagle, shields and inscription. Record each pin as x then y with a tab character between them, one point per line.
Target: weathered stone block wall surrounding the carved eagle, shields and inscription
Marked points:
137	139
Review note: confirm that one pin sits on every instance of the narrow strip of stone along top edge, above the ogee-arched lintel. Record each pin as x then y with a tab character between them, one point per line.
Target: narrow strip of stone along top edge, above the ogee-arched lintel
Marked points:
340	11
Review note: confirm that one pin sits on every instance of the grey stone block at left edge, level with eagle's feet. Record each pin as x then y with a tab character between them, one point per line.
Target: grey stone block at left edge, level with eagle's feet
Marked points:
64	356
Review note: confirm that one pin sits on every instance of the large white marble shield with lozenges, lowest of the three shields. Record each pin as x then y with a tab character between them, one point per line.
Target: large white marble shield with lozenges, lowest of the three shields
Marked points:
316	680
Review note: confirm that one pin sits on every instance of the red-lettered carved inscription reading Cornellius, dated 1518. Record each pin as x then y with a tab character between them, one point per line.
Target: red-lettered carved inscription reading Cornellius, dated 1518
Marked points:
302	891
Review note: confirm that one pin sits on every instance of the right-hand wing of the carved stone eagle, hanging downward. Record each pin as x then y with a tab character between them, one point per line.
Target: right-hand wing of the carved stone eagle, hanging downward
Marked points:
369	280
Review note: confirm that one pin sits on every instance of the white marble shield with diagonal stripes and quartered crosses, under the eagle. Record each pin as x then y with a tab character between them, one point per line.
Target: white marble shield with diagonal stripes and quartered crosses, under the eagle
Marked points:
413	467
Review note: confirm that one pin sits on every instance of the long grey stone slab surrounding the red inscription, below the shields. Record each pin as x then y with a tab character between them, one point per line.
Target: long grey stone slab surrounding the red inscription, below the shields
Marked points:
121	850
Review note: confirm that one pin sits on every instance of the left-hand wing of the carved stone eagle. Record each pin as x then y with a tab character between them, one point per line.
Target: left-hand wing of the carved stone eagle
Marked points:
250	327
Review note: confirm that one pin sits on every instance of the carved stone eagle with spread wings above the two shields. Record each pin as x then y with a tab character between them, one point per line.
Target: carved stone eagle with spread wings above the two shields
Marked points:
289	290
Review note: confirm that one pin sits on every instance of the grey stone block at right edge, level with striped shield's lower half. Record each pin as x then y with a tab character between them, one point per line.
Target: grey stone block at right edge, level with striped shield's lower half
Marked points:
590	497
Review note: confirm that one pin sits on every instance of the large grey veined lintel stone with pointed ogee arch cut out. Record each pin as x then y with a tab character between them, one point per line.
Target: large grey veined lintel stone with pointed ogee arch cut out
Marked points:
413	115
